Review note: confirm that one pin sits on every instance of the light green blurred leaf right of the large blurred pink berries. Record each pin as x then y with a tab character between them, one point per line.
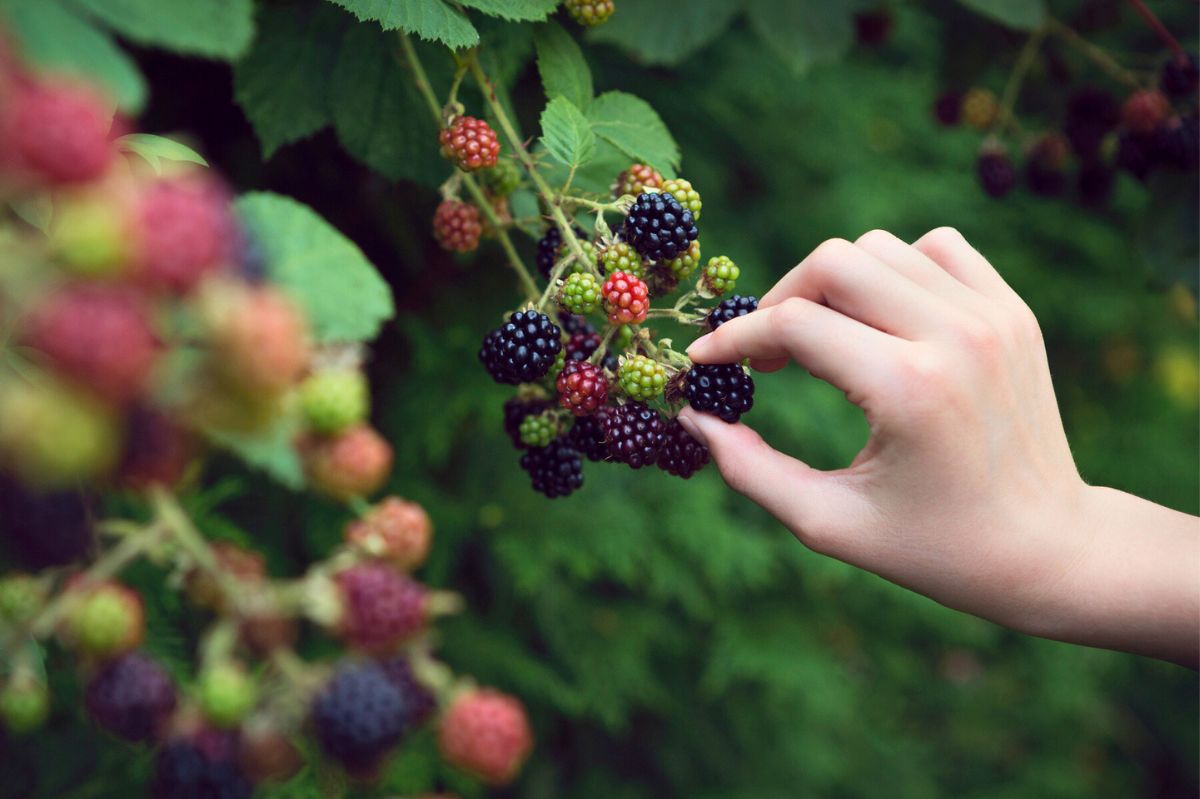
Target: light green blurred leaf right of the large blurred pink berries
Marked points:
344	296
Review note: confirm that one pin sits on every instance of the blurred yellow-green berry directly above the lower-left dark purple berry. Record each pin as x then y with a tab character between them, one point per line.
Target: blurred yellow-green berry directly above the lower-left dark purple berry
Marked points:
105	621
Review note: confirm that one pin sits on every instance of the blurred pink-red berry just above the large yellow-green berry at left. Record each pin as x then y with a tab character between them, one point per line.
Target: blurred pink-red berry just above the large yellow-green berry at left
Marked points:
99	337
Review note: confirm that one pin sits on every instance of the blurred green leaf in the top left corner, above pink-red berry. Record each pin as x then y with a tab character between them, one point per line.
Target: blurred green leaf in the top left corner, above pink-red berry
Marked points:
55	37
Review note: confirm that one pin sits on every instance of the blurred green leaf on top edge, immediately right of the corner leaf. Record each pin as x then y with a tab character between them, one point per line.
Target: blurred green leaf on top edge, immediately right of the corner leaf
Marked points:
220	29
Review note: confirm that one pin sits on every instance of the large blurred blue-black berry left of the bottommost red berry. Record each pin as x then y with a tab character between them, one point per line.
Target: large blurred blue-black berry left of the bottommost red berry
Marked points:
359	716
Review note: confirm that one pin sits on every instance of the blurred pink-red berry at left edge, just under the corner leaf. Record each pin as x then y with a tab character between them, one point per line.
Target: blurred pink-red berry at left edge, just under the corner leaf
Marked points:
58	134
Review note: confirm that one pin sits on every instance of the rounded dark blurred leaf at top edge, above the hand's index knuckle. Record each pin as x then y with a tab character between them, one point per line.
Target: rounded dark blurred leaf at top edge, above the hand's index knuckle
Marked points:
803	33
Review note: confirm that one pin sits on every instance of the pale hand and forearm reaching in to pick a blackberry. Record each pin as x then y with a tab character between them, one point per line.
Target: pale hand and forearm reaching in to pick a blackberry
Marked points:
967	491
